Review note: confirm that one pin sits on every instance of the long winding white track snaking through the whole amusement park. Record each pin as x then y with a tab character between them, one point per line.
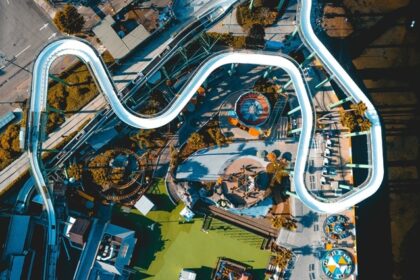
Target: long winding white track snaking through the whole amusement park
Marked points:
87	54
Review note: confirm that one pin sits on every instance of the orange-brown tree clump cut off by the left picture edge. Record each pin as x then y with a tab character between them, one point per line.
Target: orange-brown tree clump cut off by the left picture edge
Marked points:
9	145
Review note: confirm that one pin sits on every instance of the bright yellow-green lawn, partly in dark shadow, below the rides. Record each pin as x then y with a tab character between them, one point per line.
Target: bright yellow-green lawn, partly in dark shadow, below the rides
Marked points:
171	246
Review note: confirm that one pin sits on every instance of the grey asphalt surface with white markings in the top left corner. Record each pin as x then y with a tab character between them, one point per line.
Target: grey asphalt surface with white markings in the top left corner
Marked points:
24	29
